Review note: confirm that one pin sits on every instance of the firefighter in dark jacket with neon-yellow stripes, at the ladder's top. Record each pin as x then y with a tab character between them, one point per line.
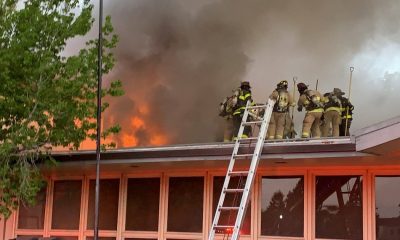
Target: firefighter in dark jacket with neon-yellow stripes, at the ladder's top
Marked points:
244	96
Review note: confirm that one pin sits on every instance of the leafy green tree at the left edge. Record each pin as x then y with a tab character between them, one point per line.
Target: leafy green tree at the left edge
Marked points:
46	99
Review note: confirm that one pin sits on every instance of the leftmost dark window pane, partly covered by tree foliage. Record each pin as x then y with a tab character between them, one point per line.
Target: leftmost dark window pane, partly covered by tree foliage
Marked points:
32	217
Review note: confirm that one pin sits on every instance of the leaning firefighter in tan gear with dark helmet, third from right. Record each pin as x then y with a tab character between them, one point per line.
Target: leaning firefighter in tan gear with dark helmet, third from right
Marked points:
311	100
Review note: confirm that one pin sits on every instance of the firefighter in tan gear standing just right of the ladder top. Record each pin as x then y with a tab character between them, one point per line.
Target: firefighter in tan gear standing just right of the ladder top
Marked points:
280	111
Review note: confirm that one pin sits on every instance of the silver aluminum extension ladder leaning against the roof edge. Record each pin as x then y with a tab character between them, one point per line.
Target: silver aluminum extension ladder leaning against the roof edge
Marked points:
250	173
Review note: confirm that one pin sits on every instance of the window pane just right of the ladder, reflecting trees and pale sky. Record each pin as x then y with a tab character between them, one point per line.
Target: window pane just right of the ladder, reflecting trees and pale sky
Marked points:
282	206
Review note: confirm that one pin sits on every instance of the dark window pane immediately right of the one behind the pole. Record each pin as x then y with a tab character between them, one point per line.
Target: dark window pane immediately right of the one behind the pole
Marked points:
143	201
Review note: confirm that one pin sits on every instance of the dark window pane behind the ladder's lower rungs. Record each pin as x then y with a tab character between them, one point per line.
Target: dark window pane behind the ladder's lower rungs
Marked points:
228	218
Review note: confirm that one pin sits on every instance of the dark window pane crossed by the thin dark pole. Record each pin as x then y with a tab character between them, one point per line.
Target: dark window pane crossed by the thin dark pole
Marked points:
108	205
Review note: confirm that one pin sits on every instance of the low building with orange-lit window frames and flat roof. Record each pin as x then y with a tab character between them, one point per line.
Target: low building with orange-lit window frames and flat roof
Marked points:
343	188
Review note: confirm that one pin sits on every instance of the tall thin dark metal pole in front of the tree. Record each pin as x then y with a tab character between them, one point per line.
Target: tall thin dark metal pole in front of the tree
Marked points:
98	133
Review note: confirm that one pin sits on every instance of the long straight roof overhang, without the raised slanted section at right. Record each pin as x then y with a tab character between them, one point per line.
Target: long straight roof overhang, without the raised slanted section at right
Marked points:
284	149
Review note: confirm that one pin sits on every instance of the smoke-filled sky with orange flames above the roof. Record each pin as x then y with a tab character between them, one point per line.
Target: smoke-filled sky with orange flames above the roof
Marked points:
178	59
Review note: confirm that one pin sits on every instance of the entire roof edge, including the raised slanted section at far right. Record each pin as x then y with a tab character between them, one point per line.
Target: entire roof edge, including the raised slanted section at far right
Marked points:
370	140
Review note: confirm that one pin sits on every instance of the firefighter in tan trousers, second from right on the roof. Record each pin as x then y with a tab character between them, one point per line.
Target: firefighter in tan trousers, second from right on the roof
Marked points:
332	112
